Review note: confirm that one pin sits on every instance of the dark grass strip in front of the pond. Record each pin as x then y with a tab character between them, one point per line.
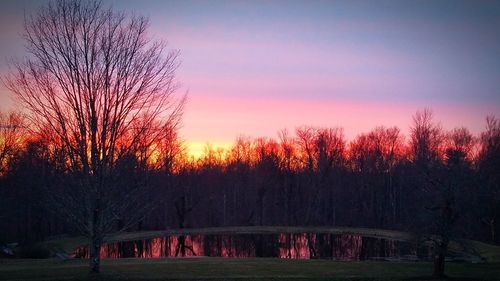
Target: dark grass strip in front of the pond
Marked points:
238	269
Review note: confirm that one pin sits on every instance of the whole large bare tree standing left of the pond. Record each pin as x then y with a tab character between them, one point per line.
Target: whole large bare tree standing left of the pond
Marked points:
95	84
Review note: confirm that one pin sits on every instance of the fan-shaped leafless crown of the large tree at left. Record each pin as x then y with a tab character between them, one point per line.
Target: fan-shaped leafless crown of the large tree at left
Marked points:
90	75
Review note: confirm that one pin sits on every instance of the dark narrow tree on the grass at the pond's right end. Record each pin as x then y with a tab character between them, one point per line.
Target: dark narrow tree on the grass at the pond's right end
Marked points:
439	183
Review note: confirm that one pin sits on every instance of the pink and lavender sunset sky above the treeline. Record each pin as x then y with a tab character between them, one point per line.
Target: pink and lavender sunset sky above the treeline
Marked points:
253	68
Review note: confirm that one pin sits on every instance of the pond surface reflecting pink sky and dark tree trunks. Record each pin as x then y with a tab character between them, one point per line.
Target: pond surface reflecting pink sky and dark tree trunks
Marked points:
284	245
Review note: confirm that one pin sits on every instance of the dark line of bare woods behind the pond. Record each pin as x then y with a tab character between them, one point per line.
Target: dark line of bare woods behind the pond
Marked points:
430	182
